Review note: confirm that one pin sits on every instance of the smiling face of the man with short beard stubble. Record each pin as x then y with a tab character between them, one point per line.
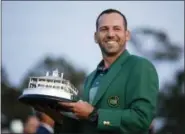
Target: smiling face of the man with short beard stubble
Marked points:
111	35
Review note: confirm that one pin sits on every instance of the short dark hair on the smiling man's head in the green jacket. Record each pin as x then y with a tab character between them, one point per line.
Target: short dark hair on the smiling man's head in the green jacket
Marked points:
109	11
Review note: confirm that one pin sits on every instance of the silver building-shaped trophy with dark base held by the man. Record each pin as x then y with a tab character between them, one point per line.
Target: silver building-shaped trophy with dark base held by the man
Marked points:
44	93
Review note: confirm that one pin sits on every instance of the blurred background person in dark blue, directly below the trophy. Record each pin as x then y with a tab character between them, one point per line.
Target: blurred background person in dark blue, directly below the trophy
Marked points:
46	124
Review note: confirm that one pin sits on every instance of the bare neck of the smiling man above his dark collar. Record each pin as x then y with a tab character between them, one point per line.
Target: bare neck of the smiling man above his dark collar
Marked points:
108	60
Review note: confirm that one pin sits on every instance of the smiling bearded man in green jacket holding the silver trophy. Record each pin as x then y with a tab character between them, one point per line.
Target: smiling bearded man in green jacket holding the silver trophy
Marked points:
120	95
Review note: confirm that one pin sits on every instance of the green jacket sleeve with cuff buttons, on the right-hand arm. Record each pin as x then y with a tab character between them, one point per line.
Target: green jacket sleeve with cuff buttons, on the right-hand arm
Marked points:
141	96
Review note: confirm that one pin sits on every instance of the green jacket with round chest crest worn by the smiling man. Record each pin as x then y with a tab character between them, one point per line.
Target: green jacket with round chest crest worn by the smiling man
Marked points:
126	99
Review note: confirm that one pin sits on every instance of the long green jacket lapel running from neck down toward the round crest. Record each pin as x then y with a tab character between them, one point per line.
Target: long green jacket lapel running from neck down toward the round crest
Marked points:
112	73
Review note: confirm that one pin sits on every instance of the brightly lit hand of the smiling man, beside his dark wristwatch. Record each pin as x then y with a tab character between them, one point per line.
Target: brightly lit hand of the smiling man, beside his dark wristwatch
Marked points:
81	109
